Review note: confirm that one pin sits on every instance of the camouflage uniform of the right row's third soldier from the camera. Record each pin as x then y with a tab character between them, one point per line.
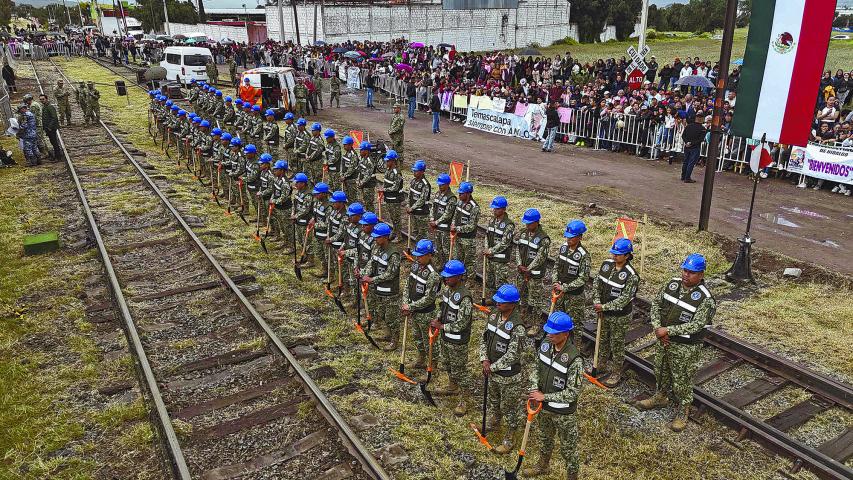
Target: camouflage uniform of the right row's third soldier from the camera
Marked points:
571	271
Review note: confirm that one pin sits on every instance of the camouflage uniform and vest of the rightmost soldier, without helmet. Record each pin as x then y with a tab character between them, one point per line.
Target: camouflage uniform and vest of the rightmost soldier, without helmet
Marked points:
677	363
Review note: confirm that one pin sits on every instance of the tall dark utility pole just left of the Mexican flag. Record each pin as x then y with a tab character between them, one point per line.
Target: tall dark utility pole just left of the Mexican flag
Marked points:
719	98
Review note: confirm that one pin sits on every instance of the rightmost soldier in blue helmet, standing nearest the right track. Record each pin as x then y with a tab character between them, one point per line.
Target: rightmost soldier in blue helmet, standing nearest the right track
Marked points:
681	311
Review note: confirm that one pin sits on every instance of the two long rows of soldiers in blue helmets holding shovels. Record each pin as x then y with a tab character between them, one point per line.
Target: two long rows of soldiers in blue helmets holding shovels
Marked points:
327	207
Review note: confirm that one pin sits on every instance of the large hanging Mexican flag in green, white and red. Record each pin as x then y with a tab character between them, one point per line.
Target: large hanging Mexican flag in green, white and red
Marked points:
785	54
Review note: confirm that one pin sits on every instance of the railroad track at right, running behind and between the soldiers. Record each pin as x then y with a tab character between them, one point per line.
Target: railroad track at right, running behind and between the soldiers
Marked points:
829	459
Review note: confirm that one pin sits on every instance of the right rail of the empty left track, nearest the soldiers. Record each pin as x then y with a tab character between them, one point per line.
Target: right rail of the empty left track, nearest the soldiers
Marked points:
345	433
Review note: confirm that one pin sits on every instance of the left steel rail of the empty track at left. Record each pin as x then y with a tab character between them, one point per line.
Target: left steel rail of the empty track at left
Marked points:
177	462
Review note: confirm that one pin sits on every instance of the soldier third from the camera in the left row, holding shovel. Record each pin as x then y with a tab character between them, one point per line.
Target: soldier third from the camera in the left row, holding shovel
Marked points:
454	322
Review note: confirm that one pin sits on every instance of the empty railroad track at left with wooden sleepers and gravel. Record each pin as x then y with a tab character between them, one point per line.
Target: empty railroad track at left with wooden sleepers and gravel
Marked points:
226	395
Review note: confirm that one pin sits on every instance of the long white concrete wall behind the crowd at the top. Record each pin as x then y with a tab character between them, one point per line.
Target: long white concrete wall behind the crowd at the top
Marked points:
535	21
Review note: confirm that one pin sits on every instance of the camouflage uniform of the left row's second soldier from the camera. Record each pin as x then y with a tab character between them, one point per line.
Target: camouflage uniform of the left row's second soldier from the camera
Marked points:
502	344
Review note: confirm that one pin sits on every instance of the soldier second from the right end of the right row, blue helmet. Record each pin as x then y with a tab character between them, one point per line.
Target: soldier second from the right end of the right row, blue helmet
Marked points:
614	292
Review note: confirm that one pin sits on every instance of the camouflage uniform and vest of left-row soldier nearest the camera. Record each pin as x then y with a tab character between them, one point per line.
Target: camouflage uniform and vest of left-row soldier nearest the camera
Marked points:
558	376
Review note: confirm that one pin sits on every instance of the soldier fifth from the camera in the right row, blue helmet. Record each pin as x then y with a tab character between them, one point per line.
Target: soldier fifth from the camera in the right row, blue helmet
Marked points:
498	247
